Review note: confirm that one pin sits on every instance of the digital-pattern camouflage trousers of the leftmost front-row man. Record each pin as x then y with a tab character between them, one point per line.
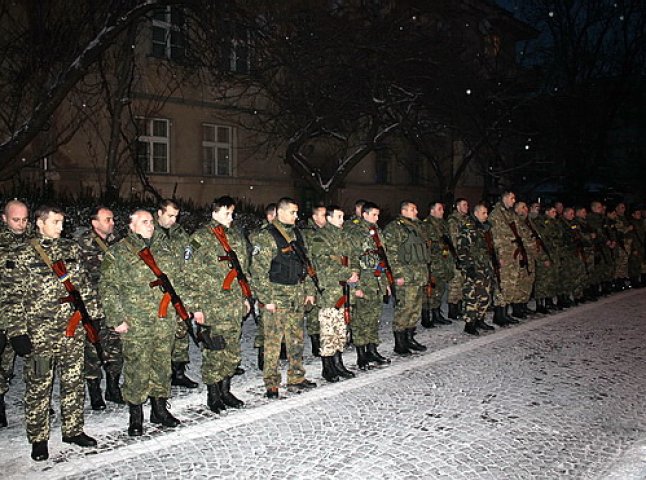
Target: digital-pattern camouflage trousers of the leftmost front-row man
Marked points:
39	371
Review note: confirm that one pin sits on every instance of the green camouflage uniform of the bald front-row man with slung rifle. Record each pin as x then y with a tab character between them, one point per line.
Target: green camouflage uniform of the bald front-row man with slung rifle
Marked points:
124	290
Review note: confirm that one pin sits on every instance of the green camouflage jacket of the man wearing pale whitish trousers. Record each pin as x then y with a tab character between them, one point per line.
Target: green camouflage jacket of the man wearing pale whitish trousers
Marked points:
328	246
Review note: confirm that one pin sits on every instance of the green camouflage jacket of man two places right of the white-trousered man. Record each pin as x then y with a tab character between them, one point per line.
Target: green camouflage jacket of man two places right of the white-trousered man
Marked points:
407	251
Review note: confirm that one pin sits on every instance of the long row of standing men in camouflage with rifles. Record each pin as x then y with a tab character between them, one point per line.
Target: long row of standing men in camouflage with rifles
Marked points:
337	274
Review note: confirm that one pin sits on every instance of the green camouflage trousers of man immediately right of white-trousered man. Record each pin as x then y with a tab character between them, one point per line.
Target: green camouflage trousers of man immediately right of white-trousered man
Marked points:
366	315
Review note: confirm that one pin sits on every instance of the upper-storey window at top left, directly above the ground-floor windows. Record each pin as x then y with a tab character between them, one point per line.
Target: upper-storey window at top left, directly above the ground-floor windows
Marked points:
168	33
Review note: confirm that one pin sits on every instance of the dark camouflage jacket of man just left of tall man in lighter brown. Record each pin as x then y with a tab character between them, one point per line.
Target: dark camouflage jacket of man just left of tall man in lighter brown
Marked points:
473	256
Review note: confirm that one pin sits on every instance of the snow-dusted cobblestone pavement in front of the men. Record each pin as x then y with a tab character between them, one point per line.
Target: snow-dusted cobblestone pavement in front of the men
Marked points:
555	397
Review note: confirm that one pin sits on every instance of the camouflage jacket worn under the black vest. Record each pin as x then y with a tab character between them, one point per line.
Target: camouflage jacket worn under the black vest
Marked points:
264	251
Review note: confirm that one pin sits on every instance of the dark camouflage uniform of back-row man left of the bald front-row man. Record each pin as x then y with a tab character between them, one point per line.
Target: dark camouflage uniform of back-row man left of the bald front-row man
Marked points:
93	249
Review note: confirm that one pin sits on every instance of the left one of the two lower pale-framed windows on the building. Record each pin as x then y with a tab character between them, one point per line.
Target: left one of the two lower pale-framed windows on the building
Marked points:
153	144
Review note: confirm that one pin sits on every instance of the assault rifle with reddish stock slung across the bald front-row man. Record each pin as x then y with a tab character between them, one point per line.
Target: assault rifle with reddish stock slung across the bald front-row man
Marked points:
171	296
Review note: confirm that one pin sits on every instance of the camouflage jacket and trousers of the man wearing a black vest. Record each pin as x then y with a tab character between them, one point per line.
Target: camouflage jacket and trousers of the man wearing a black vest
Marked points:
287	321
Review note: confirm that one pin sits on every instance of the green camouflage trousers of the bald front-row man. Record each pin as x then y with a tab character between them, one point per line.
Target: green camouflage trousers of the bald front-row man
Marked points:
147	348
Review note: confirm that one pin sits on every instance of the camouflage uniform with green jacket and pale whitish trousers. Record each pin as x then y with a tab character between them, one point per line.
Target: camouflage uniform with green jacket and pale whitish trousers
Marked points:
328	247
